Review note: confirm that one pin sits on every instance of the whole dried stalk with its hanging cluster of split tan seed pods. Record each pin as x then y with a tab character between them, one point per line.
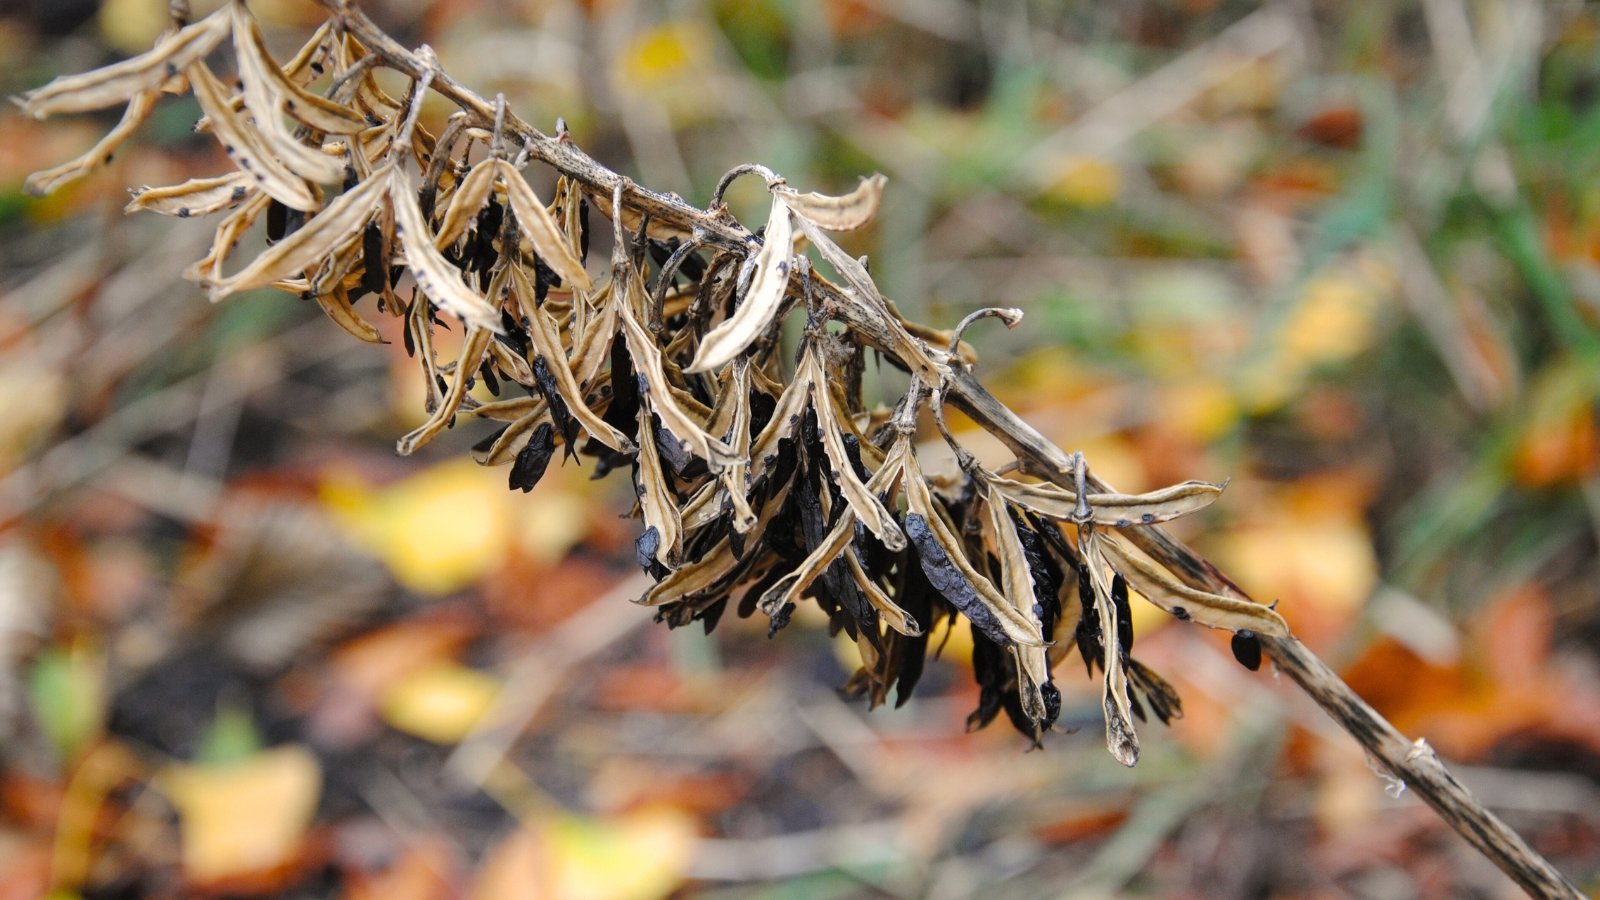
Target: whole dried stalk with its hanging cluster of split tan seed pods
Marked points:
761	481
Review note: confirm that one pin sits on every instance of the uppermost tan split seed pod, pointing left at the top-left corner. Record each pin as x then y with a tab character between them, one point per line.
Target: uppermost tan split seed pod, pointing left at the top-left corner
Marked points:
124	81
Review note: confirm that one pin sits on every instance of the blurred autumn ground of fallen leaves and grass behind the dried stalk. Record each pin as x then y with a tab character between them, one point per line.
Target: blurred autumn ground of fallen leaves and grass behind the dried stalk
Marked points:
1346	255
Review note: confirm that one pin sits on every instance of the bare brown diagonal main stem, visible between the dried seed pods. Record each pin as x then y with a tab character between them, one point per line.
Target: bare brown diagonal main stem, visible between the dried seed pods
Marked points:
1415	765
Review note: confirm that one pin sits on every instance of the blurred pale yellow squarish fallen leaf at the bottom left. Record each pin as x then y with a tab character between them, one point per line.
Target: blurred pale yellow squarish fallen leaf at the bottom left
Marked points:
244	818
